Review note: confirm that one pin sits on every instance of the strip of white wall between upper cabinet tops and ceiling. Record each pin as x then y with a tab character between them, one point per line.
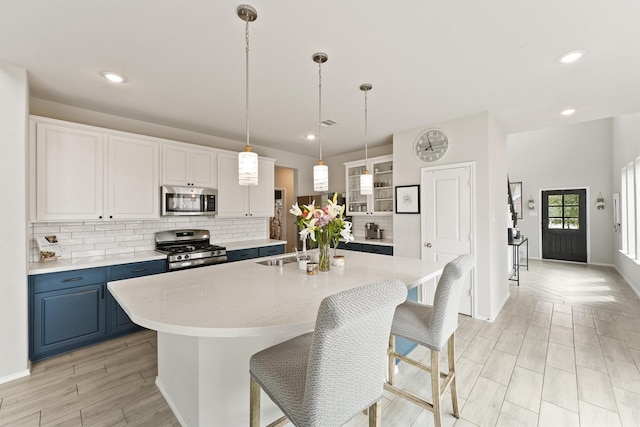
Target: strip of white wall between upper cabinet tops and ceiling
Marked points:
73	114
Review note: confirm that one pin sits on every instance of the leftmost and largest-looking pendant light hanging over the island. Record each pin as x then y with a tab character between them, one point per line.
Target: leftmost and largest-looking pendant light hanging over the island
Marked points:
247	160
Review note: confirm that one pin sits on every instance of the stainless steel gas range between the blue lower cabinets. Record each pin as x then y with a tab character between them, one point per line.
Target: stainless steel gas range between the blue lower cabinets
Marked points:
189	248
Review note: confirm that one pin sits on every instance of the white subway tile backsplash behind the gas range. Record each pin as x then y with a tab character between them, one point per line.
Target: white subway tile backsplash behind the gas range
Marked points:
95	238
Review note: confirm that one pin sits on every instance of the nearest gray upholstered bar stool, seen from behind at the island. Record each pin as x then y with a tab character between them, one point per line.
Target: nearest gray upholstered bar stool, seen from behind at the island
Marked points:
325	377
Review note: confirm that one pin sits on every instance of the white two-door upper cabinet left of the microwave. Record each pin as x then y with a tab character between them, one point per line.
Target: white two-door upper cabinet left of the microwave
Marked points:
87	173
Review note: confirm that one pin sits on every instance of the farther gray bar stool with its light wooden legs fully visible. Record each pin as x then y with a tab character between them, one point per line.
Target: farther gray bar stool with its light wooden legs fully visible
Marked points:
432	327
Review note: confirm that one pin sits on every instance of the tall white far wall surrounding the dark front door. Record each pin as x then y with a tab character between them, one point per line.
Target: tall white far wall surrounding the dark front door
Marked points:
578	155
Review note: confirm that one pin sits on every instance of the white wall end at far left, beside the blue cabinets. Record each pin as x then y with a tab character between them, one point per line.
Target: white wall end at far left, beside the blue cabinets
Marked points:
14	98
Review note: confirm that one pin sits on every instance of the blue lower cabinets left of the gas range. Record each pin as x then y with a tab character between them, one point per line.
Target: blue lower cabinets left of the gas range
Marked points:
71	309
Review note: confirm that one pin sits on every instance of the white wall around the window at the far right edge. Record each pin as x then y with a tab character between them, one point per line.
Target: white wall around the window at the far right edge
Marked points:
626	147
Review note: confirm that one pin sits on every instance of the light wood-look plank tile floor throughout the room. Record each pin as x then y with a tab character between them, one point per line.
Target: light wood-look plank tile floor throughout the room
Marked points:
564	351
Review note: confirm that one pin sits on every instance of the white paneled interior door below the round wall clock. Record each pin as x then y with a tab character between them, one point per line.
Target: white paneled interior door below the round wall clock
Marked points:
446	203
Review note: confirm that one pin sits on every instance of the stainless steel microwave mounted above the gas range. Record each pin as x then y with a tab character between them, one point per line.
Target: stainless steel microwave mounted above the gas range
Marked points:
188	200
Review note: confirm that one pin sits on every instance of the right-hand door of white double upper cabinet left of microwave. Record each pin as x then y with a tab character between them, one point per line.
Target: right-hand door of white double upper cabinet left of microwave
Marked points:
134	189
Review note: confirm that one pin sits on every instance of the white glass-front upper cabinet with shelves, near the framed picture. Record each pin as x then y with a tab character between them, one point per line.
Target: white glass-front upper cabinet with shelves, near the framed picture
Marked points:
381	201
